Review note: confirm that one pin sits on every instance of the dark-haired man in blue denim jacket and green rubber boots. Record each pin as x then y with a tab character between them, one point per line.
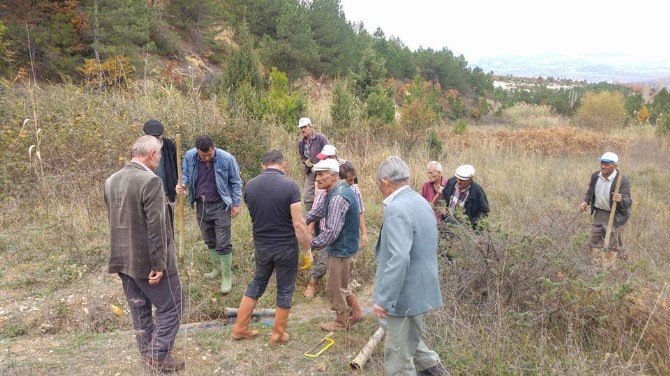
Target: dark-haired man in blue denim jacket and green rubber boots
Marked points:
215	186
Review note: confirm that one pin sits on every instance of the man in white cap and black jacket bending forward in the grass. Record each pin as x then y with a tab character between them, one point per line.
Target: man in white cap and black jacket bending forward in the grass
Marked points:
461	192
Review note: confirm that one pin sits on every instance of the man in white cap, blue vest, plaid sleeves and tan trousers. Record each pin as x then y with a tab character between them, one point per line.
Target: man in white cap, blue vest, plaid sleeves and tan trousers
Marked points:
339	238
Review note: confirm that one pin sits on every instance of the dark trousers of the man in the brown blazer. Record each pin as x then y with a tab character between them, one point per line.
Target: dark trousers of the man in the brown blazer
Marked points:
154	337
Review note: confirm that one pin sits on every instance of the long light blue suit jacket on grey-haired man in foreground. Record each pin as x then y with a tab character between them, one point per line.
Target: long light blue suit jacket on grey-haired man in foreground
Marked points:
406	281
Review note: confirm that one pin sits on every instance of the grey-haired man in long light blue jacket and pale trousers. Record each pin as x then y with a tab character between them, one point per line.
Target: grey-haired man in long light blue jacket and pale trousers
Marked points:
406	280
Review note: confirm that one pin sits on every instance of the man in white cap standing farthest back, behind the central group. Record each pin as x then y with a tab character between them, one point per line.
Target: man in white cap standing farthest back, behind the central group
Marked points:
309	147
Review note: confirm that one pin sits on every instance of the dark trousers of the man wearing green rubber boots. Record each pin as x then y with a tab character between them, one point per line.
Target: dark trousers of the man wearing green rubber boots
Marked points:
214	222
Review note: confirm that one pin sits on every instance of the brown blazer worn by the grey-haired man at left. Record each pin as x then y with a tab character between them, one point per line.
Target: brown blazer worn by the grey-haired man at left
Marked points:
141	239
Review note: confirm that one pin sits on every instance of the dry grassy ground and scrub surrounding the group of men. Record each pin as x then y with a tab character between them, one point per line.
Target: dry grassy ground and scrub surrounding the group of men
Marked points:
519	298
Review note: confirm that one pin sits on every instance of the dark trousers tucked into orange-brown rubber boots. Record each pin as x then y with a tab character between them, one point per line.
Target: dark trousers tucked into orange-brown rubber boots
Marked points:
283	259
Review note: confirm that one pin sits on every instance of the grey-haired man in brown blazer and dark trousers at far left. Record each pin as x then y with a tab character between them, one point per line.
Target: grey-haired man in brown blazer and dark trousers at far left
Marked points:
143	253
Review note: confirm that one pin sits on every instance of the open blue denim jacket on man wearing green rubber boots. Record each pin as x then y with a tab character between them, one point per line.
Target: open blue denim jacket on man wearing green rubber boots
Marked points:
228	180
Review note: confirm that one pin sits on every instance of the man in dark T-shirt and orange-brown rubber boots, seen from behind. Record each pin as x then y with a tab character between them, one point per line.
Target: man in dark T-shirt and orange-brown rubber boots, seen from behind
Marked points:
278	226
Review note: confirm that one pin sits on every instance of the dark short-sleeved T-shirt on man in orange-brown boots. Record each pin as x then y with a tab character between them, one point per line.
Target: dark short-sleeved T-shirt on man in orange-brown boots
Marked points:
269	197
